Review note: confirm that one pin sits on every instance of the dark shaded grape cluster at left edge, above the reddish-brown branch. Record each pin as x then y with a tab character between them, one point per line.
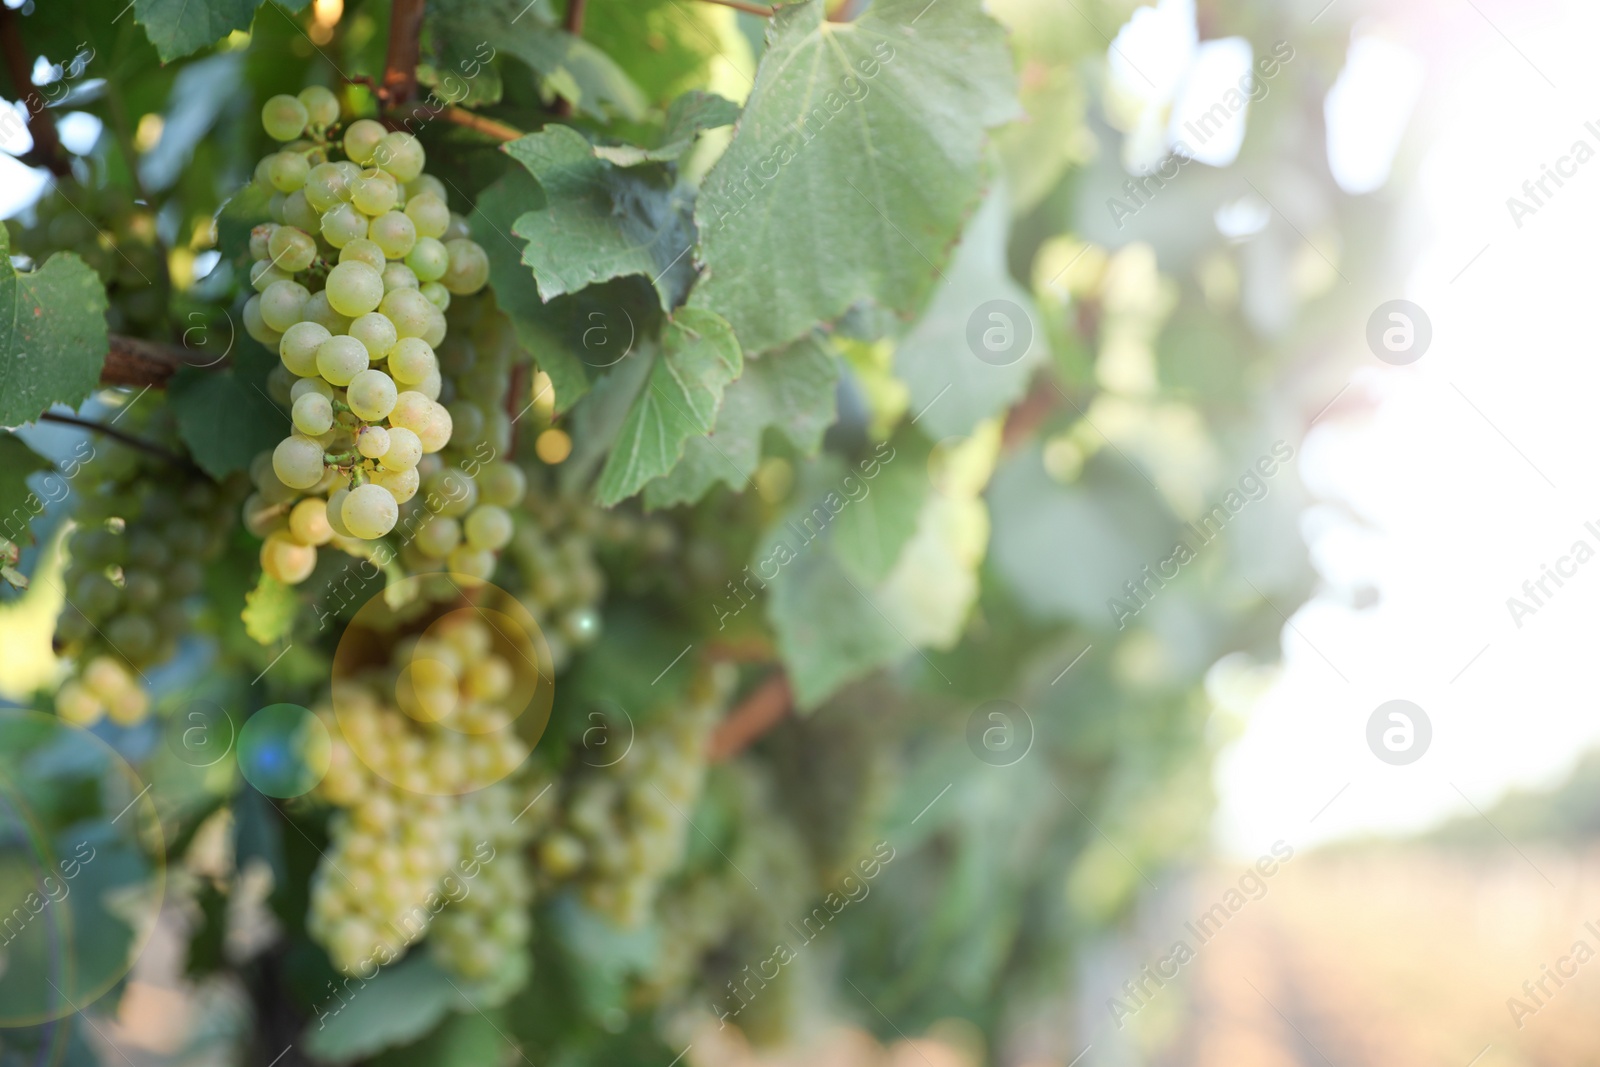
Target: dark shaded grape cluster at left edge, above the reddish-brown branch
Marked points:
116	238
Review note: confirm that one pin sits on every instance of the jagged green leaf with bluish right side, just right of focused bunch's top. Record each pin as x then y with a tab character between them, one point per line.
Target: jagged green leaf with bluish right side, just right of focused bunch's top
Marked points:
601	222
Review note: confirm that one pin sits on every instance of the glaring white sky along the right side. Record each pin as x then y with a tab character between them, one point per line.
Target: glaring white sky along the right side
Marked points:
1473	470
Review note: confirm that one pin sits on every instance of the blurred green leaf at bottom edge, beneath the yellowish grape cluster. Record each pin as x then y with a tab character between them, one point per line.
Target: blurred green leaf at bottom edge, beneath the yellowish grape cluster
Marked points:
398	1005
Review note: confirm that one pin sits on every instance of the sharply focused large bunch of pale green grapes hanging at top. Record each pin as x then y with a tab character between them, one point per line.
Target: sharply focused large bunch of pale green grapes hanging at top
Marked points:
353	281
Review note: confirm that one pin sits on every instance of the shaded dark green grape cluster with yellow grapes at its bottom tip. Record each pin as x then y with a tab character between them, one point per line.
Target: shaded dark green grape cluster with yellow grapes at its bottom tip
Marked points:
138	556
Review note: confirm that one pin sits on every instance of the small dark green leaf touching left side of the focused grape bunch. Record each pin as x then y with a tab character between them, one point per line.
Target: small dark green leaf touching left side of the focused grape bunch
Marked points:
225	418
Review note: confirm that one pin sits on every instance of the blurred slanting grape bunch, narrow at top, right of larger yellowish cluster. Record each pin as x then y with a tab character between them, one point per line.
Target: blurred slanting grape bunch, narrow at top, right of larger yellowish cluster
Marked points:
622	829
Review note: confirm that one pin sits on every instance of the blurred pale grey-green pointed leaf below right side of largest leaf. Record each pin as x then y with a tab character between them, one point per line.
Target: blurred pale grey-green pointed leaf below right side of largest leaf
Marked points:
951	388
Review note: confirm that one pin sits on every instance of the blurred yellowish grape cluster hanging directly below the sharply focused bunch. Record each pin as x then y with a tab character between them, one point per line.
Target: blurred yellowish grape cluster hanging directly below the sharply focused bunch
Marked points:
422	769
